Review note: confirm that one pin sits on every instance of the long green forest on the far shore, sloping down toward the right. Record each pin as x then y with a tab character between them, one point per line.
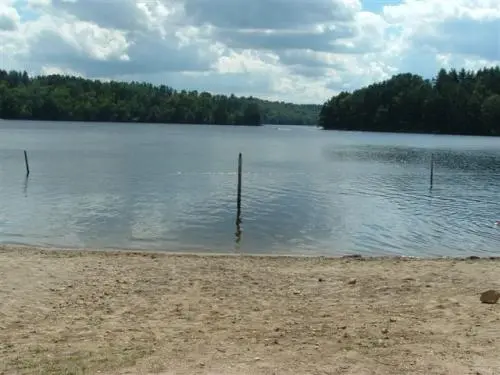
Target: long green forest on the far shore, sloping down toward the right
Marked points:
67	98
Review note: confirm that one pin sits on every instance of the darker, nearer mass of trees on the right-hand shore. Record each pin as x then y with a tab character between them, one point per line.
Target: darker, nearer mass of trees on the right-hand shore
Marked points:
454	102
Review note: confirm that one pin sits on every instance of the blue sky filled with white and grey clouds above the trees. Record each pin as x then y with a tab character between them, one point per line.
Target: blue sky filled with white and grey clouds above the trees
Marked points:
303	51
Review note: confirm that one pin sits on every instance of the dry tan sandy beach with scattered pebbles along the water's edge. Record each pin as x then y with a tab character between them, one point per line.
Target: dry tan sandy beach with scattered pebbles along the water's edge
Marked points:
73	312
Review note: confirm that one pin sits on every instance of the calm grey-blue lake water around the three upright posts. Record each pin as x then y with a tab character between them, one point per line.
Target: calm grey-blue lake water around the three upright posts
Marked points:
305	191
